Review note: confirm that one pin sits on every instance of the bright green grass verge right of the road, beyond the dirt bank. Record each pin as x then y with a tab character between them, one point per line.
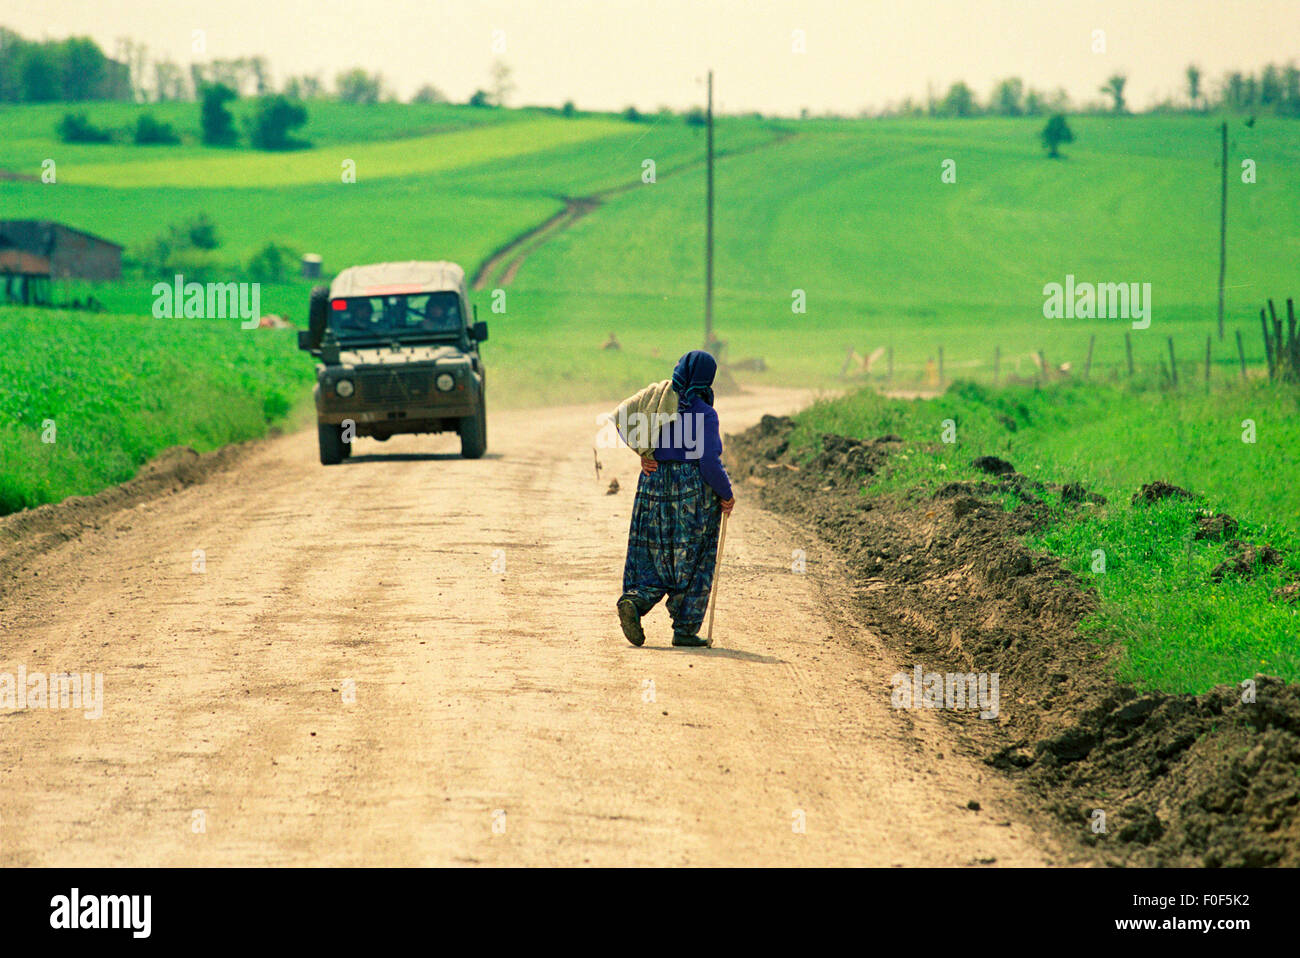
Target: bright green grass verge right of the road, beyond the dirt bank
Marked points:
1180	631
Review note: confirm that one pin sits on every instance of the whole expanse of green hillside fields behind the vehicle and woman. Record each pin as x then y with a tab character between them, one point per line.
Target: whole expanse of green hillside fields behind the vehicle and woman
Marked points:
853	214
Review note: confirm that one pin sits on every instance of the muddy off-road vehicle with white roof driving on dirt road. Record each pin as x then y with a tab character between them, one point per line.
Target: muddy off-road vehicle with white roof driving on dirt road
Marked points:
398	353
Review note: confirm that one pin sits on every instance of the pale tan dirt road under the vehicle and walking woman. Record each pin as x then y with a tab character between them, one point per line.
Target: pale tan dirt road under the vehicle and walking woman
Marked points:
353	682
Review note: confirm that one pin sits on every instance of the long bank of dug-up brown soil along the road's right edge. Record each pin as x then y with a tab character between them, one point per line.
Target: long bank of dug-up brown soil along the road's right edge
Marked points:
946	579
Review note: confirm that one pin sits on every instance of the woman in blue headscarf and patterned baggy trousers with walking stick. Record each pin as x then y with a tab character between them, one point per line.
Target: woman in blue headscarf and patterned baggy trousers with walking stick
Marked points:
682	496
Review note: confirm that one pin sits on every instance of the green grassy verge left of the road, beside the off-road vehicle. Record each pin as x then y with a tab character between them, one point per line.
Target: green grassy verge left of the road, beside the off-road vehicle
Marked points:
114	392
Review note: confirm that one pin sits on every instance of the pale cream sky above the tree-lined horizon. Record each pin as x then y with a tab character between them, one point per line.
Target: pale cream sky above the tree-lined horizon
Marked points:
612	54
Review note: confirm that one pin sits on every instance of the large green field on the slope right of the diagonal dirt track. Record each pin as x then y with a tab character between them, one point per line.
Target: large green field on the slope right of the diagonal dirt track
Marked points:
889	255
